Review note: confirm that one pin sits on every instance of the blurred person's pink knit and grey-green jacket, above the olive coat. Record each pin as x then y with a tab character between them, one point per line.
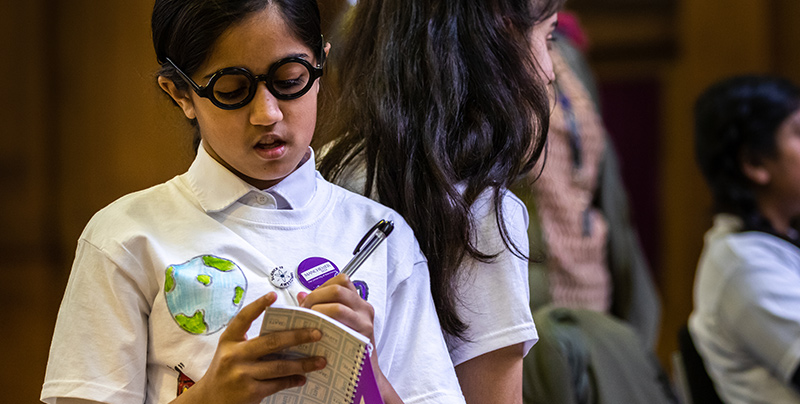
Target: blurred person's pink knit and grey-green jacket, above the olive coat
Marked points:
580	220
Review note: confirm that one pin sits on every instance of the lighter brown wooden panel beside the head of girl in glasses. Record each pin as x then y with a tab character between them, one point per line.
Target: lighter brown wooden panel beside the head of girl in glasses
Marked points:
119	133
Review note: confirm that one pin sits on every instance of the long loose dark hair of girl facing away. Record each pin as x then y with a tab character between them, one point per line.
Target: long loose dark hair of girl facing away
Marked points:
434	93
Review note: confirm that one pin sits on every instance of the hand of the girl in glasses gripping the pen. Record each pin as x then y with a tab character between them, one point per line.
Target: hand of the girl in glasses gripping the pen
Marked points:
338	298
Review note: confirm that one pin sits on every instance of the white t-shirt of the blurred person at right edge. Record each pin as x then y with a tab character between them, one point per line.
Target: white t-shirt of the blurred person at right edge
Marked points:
746	317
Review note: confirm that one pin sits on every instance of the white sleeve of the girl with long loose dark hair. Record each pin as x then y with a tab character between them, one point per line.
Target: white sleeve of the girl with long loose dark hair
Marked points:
494	296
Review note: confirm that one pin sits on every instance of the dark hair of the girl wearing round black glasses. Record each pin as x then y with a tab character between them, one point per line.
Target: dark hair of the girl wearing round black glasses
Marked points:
186	30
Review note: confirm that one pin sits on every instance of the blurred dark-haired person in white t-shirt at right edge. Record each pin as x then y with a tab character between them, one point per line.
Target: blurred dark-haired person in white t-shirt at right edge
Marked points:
746	318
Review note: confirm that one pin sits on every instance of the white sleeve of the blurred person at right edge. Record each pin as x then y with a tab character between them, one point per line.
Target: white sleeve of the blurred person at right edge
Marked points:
761	305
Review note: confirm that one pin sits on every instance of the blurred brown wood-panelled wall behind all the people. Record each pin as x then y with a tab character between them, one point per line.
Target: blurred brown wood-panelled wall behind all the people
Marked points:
85	123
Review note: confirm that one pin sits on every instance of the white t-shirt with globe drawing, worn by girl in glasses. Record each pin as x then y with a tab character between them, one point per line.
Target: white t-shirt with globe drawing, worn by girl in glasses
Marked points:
117	340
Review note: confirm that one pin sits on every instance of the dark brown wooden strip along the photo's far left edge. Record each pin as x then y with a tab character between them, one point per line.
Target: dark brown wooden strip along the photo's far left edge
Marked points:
31	288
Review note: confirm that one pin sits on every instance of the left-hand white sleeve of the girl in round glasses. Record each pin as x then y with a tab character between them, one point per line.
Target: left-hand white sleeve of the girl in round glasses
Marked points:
99	347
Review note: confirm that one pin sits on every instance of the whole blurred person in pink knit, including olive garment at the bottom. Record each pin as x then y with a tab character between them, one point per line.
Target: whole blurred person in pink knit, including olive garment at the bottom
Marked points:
592	297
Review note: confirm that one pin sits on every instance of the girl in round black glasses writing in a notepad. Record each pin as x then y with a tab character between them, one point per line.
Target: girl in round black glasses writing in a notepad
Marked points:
167	289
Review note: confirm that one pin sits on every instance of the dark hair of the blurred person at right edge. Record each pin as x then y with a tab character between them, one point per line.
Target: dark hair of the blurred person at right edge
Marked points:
738	118
